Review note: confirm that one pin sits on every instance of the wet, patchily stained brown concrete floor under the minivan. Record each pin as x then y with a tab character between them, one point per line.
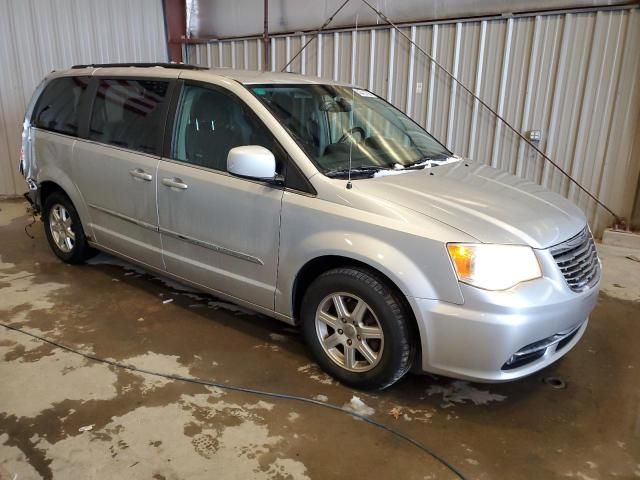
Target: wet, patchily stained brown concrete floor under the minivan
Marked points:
63	416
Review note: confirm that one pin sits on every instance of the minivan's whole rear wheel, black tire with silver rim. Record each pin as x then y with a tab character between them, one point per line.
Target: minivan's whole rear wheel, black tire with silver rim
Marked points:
63	229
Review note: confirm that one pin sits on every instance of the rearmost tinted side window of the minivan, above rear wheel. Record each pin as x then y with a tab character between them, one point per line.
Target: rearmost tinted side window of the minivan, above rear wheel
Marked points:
57	109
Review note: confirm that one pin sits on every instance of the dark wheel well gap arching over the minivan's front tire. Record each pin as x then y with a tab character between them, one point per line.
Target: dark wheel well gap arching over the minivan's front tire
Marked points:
316	267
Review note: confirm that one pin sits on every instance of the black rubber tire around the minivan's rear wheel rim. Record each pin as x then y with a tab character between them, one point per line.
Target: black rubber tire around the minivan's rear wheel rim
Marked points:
80	251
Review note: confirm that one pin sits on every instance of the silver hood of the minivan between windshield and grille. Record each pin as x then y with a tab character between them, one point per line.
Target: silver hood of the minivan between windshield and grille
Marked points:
488	204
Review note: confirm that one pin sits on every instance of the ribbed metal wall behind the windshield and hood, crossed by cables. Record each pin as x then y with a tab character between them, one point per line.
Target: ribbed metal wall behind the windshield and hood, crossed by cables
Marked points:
574	76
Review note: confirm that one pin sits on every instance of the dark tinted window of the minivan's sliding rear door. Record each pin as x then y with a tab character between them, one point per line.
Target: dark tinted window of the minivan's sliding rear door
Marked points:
129	113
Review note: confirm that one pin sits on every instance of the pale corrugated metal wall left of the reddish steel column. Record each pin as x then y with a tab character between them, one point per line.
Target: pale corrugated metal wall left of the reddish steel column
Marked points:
39	36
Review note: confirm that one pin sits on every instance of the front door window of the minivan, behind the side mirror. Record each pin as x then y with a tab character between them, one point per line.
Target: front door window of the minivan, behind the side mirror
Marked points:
211	122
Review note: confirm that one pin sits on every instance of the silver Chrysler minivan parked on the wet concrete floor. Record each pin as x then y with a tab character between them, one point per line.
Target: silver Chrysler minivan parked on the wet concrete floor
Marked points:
316	203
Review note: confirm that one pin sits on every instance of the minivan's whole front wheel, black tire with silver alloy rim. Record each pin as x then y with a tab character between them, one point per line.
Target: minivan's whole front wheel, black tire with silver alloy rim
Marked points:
357	328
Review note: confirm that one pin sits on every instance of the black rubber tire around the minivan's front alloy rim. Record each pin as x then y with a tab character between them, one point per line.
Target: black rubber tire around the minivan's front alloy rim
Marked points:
390	314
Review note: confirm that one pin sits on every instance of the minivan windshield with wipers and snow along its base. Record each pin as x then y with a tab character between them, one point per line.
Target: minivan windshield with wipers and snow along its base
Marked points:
343	128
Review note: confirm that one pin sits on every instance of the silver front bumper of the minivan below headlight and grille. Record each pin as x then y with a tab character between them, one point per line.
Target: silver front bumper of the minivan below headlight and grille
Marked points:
502	336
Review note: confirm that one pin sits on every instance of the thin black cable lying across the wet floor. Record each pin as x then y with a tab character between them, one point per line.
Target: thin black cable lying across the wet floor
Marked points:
237	388
